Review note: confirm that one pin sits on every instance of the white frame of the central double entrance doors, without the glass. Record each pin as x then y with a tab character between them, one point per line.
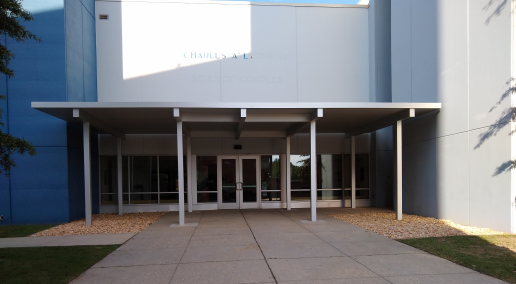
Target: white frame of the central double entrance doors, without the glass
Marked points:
239	204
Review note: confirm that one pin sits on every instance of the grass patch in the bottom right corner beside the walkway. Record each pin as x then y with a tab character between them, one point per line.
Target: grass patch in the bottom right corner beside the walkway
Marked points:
491	255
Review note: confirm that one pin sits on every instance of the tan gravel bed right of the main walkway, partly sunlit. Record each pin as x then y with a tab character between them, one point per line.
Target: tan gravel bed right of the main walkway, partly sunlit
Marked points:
412	226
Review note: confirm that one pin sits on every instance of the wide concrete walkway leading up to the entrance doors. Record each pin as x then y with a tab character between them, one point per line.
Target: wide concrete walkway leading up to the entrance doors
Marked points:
270	246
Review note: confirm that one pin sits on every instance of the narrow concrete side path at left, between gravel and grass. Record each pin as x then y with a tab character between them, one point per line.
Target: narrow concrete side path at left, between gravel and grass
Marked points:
81	240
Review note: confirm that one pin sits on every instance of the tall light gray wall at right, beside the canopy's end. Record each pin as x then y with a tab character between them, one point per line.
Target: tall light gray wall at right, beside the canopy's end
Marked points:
455	162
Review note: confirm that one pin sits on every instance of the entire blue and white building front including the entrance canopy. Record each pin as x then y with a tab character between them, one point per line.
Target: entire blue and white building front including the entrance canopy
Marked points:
247	92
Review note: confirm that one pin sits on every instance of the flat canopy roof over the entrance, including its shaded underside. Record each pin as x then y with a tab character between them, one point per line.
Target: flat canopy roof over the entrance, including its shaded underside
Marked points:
219	119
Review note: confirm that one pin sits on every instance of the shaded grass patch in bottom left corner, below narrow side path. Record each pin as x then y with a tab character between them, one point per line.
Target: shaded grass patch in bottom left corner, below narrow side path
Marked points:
48	264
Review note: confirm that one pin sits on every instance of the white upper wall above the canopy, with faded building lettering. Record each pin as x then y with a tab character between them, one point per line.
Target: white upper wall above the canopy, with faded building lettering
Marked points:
206	52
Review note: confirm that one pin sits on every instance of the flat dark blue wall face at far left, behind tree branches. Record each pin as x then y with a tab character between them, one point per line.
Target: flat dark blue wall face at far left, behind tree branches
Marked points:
39	185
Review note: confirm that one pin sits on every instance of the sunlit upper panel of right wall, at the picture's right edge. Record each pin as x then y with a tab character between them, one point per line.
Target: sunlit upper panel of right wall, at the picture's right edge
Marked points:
490	64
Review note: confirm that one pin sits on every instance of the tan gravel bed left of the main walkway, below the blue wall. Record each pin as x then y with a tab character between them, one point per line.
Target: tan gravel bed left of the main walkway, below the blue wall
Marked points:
105	224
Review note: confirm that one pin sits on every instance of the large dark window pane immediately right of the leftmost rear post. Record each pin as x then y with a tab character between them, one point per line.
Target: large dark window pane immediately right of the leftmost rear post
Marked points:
141	174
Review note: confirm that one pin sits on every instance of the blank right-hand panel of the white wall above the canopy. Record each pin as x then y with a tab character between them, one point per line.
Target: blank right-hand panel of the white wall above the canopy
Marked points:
333	54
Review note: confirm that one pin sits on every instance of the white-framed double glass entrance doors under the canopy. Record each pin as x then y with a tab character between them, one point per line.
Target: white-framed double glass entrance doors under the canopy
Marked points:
238	181
